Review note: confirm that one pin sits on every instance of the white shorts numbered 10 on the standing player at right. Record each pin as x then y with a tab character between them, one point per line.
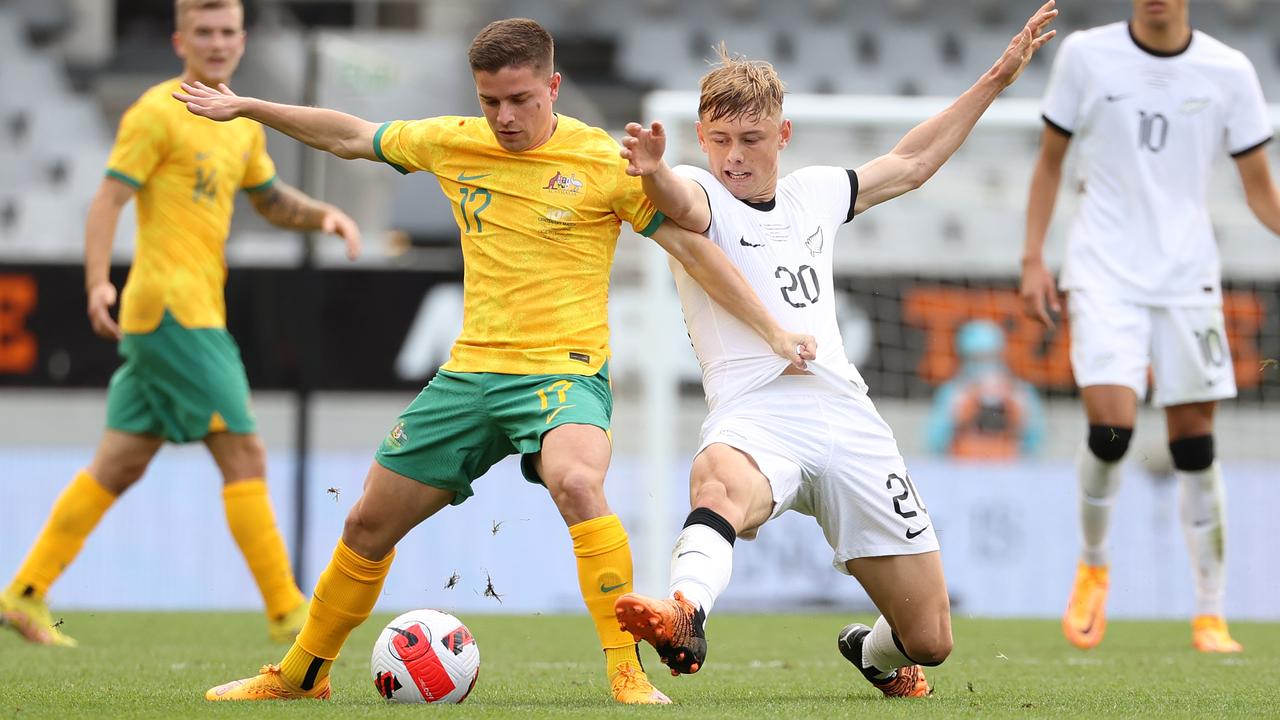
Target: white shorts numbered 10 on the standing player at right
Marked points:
1114	343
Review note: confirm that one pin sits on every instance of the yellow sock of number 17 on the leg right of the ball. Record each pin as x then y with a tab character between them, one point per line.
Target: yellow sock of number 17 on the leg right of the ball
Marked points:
605	573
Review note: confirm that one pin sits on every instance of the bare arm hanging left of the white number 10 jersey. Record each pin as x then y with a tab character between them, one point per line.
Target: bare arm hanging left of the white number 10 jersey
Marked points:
1037	289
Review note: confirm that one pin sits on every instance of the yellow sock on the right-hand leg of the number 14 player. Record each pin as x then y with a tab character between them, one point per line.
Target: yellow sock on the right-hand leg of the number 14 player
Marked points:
253	525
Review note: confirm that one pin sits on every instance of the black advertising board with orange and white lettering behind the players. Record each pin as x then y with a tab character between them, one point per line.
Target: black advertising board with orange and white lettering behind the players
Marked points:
899	330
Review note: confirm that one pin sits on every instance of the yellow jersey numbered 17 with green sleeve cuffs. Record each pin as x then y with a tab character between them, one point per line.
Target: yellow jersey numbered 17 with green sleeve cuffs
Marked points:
538	236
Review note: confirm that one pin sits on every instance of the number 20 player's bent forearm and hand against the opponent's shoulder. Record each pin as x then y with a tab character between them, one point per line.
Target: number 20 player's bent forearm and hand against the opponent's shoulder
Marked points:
678	198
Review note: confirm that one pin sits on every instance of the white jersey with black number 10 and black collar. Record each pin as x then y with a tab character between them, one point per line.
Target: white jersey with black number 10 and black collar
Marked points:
1148	127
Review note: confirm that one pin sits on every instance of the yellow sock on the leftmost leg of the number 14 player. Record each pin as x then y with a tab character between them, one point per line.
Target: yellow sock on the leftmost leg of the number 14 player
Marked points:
75	516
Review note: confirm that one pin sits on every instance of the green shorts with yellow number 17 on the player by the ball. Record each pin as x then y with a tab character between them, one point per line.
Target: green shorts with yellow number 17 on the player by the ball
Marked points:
463	423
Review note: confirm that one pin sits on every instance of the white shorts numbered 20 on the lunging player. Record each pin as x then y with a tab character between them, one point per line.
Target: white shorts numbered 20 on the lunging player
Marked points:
830	455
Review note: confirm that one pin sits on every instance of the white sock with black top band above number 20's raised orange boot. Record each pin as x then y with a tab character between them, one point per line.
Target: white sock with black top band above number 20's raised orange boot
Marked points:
702	562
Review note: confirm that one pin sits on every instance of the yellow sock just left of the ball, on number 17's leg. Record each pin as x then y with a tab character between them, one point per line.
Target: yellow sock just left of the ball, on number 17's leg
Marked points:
344	599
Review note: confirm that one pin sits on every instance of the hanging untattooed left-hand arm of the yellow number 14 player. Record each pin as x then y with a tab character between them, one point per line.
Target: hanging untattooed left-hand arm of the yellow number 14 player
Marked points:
104	213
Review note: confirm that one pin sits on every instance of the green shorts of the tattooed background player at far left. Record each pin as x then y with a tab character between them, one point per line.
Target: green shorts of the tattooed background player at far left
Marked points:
180	384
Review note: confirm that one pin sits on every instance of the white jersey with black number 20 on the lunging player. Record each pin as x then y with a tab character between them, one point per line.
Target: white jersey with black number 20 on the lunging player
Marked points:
785	250
